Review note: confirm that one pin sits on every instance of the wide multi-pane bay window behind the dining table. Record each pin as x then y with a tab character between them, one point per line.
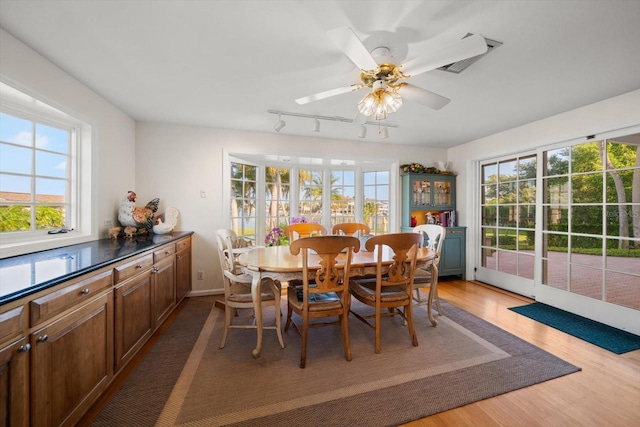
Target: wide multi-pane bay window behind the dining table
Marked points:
325	195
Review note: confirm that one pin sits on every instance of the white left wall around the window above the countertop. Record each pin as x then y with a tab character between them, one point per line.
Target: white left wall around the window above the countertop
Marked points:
113	131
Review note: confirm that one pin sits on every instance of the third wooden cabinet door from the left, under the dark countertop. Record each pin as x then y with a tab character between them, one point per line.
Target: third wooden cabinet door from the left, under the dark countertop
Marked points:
134	320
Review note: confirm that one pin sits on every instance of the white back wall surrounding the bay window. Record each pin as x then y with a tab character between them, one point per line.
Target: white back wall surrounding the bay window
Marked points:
176	162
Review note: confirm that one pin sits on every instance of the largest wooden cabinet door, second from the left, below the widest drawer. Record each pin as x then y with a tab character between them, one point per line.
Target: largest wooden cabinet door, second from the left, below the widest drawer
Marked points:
72	363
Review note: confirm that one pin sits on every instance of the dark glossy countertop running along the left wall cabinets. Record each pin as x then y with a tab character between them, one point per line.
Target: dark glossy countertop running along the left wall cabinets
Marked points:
23	275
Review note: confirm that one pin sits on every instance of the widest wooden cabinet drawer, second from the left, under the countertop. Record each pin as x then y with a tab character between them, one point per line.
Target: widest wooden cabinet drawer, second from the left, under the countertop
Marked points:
48	306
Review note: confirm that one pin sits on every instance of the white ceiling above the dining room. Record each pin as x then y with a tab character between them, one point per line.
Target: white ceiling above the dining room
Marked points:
224	63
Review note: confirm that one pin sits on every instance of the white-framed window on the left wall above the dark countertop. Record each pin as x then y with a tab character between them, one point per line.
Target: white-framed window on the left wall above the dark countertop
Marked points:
45	175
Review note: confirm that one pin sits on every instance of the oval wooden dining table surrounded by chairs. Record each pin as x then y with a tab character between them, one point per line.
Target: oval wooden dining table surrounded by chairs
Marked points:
277	262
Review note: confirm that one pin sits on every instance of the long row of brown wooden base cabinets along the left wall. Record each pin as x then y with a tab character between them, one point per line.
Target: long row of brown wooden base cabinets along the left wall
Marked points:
61	348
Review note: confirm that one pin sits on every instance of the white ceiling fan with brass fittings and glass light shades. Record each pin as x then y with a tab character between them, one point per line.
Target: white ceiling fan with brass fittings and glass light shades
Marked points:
387	80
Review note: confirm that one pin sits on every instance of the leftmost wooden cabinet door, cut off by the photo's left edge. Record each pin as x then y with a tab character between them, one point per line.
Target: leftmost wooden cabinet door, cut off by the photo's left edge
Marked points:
14	392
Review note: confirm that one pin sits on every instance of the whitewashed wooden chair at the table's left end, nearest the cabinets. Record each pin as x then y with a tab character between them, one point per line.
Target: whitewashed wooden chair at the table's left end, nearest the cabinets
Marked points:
237	295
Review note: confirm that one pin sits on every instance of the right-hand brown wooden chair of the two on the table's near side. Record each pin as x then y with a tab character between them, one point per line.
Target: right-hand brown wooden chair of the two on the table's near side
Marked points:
391	288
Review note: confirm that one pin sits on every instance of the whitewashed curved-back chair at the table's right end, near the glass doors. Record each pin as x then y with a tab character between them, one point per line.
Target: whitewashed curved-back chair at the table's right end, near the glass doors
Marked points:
433	238
